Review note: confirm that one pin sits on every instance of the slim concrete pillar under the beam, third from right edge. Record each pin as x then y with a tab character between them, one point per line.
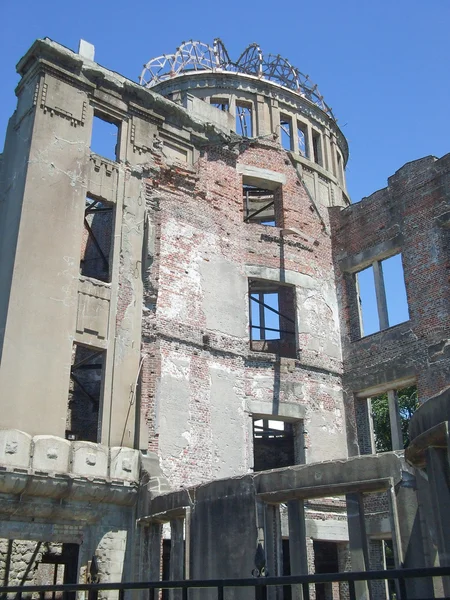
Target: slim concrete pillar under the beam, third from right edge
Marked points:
358	541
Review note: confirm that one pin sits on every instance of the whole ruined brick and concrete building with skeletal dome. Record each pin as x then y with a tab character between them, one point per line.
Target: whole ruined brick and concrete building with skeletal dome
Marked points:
184	374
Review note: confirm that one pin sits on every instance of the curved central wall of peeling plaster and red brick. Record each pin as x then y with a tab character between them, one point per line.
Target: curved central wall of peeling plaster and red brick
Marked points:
201	382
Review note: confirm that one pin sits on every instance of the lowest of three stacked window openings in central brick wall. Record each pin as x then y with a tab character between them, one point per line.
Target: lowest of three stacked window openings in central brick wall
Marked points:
273	444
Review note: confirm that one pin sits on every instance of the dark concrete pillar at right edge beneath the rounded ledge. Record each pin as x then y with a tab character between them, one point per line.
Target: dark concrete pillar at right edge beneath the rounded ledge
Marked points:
440	500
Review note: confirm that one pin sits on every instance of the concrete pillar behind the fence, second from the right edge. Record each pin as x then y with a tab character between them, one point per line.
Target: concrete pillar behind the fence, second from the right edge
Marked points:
411	536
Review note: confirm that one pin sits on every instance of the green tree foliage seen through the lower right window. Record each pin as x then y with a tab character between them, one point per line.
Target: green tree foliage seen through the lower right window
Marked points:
407	402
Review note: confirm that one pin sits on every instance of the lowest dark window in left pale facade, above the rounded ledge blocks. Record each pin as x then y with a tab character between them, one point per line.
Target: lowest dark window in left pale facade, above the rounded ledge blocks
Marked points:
85	391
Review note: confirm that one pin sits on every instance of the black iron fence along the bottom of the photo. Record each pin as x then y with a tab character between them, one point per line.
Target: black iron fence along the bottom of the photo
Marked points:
405	581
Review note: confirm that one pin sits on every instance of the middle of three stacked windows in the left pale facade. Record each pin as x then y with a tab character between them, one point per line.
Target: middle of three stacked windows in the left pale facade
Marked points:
97	239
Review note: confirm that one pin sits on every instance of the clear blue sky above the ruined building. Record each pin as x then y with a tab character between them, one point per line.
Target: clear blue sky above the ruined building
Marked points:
383	66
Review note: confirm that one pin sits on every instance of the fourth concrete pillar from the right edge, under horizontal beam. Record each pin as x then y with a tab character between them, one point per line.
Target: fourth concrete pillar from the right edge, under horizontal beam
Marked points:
298	556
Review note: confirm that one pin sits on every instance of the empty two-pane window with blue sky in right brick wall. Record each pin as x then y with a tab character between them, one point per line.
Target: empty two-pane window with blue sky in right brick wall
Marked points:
382	295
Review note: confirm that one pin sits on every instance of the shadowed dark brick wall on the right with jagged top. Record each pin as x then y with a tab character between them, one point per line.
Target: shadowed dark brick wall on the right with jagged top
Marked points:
409	216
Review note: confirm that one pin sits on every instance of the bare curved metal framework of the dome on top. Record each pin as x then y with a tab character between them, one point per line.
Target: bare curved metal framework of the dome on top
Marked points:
195	56
